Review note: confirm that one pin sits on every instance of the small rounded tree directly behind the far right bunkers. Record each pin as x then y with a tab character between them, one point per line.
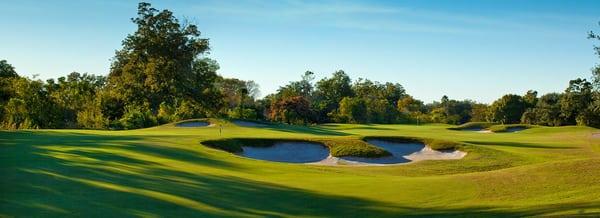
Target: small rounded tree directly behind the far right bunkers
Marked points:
507	109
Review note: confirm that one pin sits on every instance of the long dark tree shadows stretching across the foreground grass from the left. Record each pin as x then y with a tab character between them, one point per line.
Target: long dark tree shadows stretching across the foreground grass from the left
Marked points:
39	181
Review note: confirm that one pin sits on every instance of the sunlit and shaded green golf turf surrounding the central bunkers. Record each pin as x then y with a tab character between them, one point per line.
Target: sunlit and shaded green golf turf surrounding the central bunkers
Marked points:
165	171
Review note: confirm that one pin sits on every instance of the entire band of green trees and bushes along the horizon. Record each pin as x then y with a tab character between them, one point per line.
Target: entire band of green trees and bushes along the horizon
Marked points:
161	74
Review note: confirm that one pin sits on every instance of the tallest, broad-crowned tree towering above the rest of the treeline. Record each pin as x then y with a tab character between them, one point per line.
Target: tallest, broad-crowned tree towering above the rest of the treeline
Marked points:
160	62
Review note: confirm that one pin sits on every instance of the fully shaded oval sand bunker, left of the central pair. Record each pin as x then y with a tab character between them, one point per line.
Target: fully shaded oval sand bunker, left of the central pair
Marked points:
291	152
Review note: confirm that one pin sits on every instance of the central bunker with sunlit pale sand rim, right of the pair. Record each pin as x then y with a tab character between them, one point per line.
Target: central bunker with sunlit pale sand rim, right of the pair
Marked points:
401	153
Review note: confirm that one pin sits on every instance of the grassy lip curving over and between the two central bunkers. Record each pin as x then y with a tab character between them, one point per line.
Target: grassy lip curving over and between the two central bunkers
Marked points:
337	147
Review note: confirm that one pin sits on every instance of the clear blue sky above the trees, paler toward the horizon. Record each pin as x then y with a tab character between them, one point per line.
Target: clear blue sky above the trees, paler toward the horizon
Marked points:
475	50
